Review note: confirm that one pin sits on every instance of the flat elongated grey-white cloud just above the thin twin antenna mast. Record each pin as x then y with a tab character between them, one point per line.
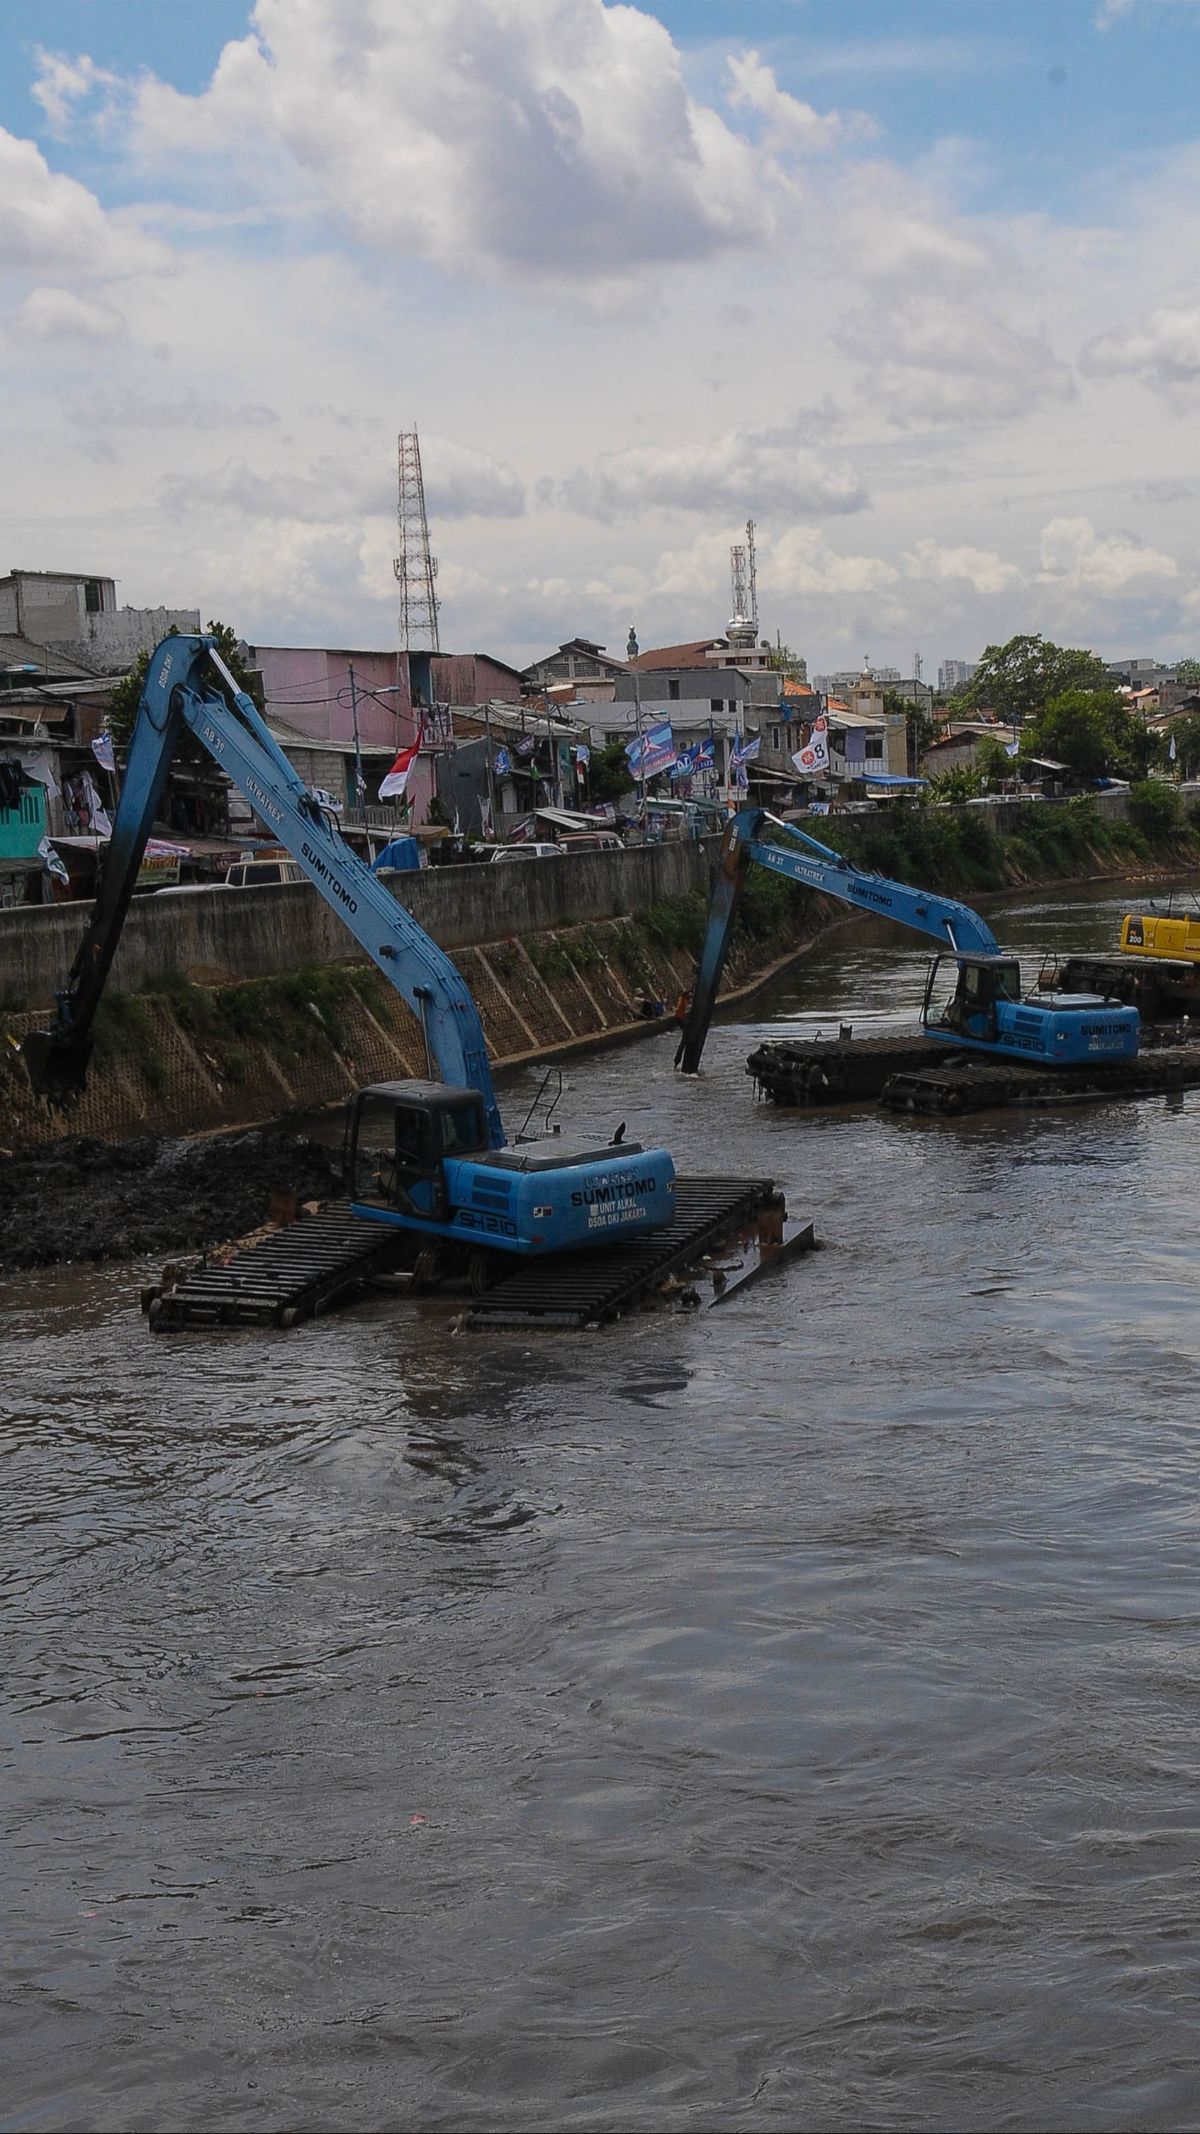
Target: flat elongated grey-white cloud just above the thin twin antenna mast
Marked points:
744	471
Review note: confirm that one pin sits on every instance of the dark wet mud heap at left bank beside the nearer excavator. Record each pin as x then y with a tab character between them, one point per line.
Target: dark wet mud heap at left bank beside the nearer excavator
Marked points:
101	1200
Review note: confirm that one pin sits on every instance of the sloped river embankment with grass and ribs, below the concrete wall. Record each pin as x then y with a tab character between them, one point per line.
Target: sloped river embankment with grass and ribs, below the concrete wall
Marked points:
240	1006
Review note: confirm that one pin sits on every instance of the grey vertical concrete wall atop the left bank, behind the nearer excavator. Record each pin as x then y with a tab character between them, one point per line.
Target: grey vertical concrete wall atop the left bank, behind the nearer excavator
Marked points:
225	936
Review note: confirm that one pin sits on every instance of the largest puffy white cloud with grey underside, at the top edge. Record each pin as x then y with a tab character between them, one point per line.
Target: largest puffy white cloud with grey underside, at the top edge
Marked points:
539	136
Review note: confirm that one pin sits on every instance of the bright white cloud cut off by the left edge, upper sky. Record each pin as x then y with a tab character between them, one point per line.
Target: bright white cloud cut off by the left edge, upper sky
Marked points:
50	225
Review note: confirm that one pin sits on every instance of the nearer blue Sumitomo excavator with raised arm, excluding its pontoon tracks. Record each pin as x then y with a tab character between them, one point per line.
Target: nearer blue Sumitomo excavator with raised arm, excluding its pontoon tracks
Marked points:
426	1158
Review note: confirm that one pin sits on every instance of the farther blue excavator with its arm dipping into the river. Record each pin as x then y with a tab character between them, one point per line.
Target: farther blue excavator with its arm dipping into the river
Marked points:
985	1013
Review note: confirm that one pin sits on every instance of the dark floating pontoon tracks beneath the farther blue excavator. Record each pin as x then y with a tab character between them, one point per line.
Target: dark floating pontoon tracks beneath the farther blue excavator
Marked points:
911	1074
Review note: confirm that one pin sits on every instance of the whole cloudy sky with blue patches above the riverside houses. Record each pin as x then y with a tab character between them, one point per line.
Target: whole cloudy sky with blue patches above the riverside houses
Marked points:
913	283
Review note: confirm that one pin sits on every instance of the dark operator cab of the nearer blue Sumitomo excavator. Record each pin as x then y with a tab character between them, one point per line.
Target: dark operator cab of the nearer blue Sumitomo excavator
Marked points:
398	1138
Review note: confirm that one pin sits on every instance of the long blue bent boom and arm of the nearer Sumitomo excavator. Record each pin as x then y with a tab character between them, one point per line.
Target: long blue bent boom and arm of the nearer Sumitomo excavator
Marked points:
183	692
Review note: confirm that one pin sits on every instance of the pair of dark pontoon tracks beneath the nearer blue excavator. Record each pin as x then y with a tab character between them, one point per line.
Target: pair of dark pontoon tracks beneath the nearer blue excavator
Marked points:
725	1235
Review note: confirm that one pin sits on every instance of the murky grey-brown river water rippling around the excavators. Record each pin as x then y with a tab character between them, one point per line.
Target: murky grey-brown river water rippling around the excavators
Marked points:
774	1719
